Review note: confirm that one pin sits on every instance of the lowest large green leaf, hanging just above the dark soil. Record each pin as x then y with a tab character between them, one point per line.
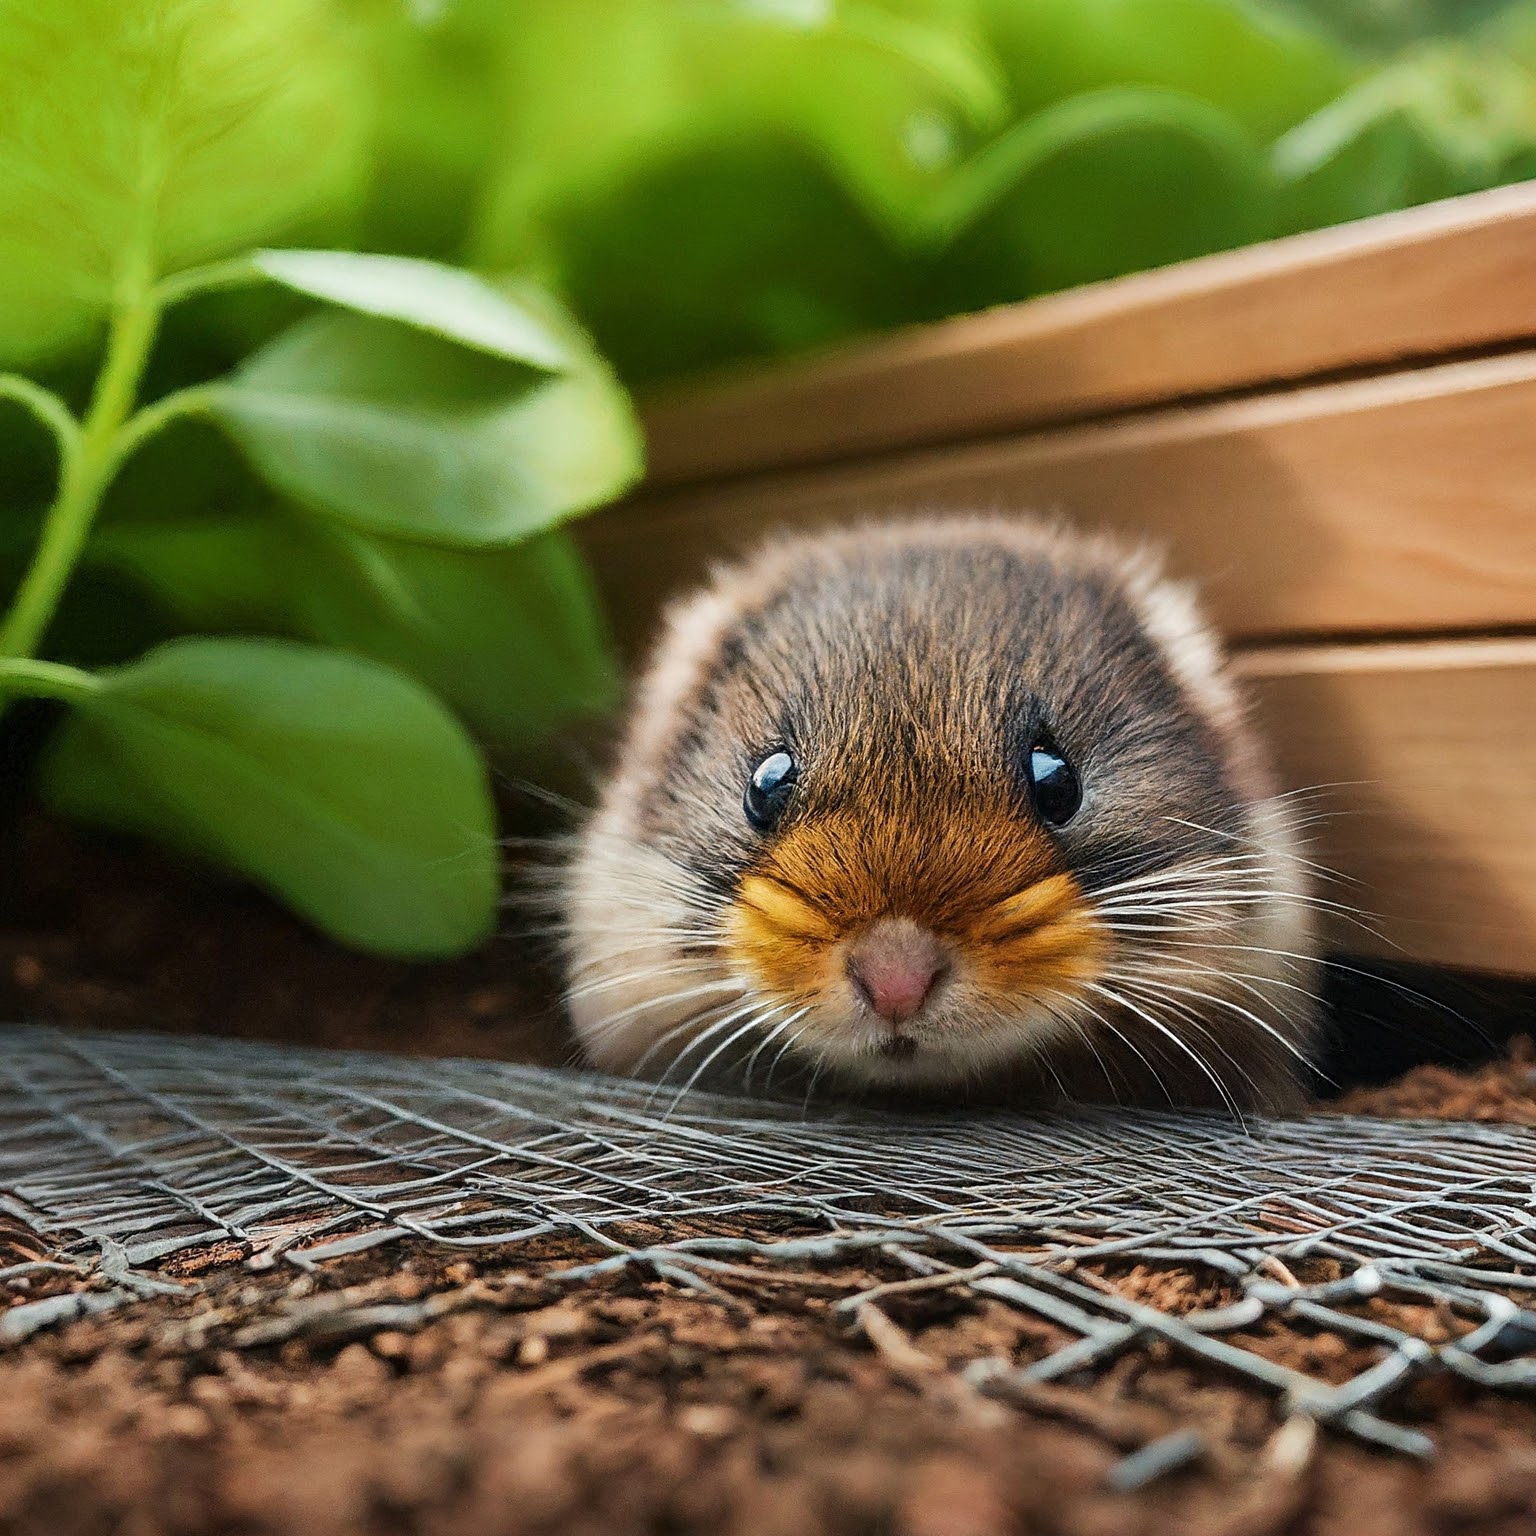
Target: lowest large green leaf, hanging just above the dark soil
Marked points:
339	784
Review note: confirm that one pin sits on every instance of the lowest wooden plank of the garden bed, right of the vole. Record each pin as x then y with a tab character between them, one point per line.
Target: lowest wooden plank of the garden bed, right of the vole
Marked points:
1431	750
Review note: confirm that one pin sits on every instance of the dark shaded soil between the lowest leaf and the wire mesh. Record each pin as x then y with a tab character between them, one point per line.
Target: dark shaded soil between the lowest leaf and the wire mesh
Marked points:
108	936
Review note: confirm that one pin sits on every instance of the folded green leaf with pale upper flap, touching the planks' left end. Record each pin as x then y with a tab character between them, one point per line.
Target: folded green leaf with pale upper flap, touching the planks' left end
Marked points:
434	415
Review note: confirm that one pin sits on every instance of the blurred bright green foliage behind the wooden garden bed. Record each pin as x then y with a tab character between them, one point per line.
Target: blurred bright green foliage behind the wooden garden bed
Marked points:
710	182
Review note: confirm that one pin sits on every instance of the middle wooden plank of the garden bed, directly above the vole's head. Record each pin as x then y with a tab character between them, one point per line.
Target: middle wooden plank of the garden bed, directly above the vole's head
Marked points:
1403	503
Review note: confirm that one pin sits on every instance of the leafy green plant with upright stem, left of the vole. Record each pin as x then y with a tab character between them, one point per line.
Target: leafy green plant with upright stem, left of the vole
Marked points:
420	432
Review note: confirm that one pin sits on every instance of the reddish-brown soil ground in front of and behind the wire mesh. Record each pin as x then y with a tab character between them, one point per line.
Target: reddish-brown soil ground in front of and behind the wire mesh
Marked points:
415	1391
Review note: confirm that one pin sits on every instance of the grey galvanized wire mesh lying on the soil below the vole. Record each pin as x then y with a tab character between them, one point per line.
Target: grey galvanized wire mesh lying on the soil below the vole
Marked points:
130	1150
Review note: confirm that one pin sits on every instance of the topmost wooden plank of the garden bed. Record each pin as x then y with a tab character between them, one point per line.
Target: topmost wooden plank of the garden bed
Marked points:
1449	277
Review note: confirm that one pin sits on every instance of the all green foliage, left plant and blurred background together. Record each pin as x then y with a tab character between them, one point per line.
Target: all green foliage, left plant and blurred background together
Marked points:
319	495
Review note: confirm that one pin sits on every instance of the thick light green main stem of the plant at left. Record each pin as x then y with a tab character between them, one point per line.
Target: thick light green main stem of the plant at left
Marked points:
85	477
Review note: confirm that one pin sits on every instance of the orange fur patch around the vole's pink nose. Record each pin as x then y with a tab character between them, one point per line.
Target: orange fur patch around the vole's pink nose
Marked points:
1019	925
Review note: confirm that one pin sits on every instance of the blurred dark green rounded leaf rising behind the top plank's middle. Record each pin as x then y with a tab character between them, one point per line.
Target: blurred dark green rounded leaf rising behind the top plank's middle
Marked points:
1101	185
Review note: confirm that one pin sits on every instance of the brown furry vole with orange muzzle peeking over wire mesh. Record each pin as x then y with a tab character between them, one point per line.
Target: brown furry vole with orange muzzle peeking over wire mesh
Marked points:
952	809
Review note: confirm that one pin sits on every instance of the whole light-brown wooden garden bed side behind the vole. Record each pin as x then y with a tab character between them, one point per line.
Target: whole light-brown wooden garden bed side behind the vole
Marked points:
1336	434
